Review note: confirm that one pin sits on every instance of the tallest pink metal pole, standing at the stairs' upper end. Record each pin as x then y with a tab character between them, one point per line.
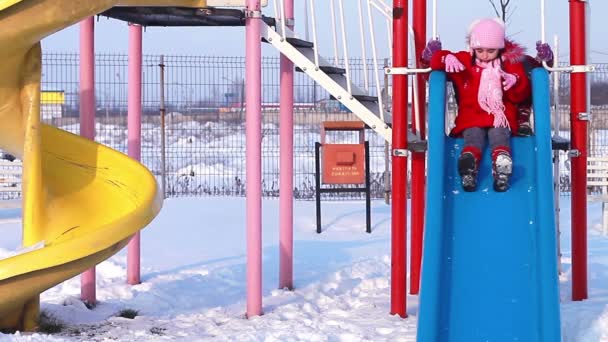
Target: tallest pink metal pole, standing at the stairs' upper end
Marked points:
253	80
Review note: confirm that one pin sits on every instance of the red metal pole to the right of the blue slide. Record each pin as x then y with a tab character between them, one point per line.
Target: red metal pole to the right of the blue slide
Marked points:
578	105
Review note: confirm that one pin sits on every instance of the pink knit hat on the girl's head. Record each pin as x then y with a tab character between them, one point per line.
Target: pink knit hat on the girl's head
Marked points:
486	33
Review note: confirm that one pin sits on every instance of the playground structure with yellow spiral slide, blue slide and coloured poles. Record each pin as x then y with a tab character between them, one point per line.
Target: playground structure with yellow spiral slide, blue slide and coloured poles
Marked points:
45	167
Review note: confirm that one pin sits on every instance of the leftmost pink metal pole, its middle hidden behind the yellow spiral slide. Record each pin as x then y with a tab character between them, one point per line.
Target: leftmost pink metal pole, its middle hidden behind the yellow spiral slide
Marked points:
87	123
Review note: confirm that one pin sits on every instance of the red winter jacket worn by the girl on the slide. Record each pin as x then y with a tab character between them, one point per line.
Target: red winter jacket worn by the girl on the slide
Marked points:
466	84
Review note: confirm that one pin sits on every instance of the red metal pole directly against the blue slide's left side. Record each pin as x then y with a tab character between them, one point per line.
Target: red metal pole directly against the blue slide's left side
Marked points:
418	158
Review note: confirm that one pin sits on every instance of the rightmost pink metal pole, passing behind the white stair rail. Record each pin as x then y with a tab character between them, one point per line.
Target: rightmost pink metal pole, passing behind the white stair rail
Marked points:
286	181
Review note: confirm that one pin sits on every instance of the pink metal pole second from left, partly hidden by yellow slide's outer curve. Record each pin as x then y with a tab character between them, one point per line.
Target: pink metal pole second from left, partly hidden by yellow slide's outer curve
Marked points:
134	137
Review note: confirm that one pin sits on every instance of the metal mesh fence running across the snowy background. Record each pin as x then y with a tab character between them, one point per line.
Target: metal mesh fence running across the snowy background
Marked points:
205	120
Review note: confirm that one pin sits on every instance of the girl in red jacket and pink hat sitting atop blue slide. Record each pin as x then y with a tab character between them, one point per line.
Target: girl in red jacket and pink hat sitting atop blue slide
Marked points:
489	87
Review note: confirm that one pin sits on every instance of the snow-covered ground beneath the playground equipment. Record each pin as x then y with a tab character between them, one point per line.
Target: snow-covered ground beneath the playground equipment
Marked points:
193	280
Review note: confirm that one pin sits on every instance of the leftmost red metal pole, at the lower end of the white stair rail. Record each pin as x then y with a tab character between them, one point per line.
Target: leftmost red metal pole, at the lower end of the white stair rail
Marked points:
399	174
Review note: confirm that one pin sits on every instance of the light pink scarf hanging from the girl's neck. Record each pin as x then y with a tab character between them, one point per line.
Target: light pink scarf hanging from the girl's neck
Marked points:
489	95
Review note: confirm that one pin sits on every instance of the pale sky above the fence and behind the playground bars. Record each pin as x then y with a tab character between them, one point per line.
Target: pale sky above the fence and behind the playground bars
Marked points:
453	19
